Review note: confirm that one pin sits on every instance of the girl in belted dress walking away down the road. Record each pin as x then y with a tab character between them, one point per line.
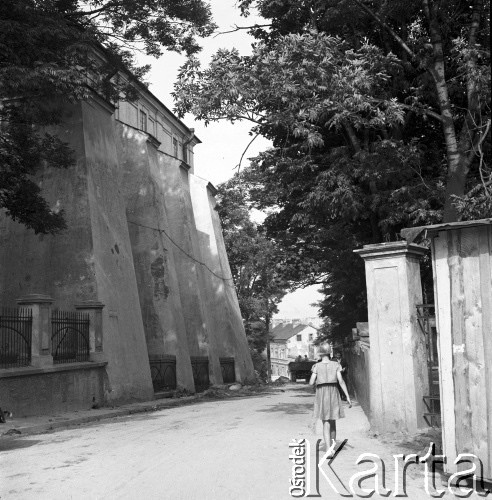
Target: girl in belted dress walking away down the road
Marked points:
327	405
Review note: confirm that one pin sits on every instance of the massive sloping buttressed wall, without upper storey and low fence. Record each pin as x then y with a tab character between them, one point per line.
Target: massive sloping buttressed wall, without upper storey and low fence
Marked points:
144	239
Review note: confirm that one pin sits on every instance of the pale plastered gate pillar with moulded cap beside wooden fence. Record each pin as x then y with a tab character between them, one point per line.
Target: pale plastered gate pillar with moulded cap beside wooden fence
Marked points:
398	360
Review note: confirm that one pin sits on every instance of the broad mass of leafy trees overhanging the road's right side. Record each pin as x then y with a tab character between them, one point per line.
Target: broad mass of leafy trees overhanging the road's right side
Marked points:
358	100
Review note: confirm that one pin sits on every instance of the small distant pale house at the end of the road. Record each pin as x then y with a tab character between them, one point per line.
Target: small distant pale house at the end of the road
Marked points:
291	340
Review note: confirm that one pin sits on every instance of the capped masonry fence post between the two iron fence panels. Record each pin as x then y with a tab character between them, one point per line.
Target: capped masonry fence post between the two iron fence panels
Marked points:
40	305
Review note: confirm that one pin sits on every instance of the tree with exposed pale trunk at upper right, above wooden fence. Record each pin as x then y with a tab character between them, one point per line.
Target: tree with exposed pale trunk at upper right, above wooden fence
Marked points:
444	46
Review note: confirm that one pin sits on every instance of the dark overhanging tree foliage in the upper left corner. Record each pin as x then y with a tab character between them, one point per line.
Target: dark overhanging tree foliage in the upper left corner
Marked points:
47	59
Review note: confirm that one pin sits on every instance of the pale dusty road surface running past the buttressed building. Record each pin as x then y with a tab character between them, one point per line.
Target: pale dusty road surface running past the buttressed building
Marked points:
227	449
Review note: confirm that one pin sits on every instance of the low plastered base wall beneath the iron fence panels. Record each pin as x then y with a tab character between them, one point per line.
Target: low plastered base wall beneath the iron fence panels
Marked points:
63	388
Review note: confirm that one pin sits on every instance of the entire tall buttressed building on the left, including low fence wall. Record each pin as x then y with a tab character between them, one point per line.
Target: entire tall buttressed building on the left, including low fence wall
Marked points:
143	240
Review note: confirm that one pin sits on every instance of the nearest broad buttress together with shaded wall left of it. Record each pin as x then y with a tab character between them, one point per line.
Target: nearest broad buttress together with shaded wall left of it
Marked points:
92	259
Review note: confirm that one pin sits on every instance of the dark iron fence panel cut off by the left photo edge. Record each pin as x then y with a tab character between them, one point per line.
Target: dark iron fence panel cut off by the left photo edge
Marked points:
15	337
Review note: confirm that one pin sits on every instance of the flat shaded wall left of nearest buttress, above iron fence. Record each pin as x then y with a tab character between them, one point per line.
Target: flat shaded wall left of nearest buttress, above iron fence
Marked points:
61	266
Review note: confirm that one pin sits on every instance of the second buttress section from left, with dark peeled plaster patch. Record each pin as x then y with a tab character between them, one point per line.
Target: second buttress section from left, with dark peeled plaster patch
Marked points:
156	273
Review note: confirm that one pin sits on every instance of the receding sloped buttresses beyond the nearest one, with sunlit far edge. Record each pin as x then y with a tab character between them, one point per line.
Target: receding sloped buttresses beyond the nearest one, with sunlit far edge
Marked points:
186	309
